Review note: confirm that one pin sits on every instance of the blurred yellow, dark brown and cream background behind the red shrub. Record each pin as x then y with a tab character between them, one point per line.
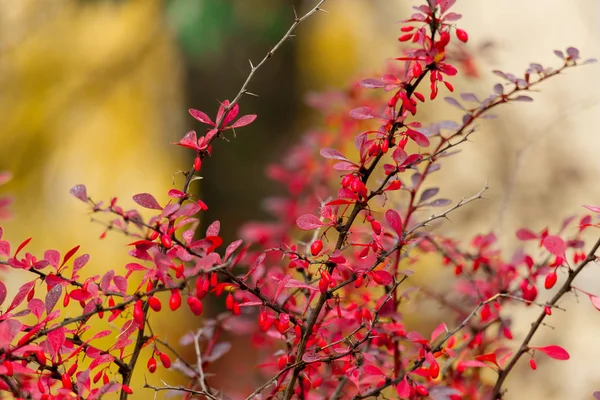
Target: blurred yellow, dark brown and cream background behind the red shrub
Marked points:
93	91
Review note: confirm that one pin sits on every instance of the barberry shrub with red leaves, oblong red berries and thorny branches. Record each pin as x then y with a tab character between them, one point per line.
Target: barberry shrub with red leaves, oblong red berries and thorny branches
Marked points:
319	288
